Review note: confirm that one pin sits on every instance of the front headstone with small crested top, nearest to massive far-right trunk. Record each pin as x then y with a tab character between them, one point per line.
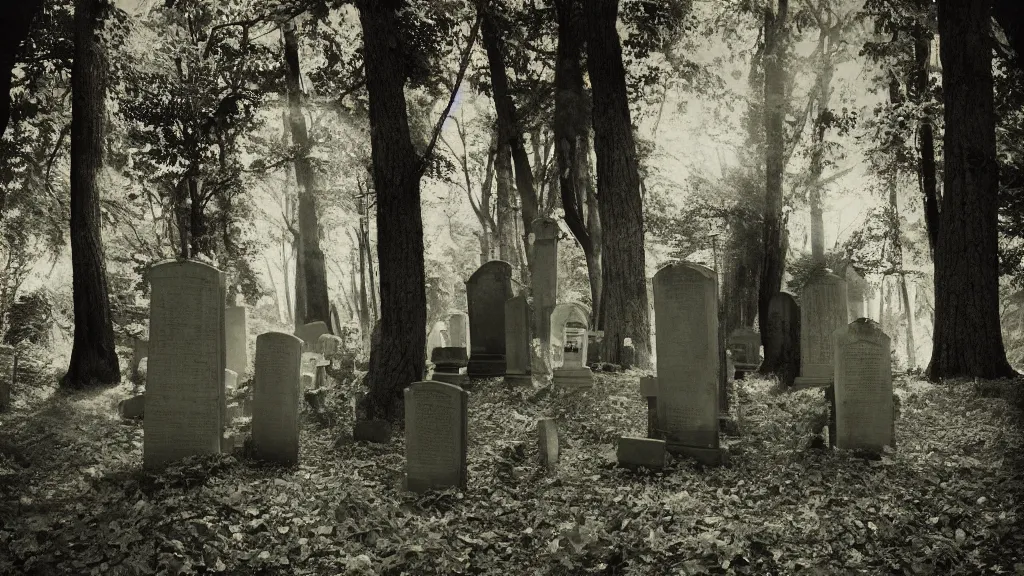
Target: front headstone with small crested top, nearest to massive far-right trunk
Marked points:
864	387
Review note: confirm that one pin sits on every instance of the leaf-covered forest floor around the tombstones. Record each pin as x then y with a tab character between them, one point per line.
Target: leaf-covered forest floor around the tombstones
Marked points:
74	501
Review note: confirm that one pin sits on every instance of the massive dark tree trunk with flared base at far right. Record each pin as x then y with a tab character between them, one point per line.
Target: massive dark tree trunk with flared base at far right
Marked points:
968	341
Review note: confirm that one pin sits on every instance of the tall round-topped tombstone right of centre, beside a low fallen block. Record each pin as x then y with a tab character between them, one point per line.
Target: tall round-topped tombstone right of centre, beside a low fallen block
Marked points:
687	313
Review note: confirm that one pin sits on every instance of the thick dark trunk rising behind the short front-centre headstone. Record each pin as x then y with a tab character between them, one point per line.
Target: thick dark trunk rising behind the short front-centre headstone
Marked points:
400	359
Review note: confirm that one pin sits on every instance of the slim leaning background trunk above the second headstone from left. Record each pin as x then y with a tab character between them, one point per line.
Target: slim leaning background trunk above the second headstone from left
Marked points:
314	269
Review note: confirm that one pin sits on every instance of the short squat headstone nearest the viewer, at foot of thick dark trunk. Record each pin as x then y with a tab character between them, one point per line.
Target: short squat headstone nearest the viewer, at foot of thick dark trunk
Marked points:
437	434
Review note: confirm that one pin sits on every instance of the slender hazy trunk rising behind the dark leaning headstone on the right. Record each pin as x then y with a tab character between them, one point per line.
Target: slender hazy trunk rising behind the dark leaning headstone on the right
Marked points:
775	236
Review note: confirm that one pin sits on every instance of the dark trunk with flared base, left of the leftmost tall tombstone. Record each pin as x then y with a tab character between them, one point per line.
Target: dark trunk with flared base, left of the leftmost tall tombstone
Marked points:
94	359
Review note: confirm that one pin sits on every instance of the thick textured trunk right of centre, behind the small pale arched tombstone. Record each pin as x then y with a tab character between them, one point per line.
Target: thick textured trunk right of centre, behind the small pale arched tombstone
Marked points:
626	314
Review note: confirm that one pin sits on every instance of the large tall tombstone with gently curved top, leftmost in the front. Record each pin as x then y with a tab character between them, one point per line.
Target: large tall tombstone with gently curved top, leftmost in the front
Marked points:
185	398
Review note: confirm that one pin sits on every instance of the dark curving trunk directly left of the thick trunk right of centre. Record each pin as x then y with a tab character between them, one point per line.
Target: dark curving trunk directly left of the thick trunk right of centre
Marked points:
572	134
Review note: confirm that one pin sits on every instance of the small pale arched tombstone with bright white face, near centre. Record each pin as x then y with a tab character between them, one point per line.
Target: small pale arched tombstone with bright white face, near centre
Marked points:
570	330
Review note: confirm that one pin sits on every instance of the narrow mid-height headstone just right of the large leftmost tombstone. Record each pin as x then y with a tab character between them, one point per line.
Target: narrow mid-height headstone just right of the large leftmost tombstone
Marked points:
276	398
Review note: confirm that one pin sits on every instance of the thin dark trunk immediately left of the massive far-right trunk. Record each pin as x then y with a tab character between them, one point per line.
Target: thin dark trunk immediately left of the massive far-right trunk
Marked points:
926	160
